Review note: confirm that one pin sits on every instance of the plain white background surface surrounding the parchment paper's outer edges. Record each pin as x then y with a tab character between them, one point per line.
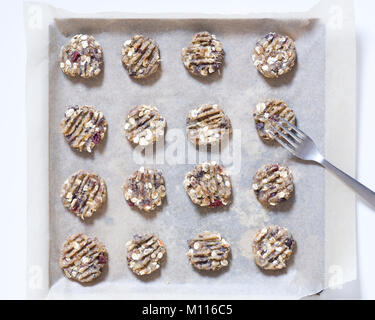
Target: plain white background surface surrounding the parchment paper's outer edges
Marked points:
13	124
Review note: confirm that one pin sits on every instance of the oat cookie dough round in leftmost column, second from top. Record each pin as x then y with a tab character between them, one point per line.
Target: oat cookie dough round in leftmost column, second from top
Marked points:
83	127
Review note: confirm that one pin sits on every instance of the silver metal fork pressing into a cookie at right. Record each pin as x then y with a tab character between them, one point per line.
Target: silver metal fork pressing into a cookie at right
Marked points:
303	147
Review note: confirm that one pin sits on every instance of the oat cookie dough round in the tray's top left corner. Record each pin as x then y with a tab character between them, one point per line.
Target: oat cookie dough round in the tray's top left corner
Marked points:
82	56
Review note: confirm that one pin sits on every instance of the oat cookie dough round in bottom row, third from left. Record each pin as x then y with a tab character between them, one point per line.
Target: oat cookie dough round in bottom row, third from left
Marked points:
208	251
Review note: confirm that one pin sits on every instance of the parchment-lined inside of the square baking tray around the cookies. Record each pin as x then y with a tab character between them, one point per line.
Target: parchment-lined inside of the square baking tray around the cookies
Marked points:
174	91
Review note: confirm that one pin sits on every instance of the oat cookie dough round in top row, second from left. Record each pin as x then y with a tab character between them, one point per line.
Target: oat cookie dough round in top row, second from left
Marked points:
140	56
